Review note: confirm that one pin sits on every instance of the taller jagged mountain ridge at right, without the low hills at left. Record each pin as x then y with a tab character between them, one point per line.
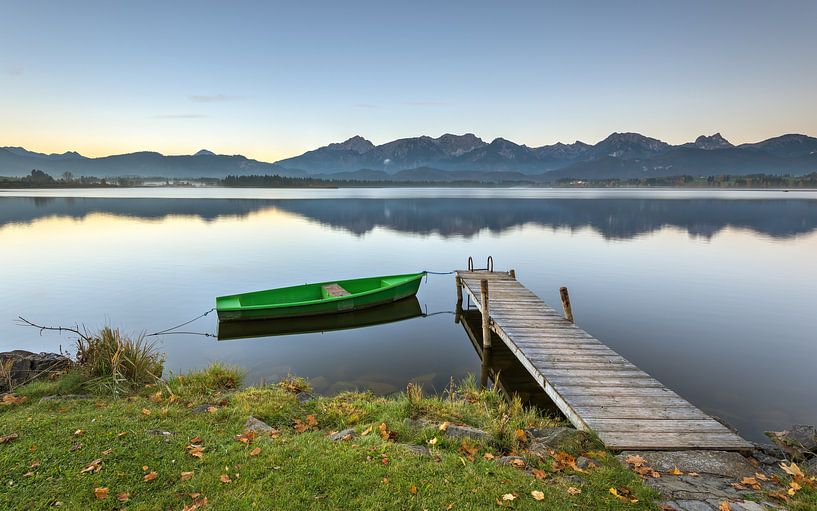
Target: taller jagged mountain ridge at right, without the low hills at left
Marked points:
623	155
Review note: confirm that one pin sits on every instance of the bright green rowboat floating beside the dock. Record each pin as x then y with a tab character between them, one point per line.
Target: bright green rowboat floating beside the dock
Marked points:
314	299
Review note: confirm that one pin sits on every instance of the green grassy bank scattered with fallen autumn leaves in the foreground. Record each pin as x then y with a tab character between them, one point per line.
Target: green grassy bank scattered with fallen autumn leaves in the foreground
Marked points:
294	471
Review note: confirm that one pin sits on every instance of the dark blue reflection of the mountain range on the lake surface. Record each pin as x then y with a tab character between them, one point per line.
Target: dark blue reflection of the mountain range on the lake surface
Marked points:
616	218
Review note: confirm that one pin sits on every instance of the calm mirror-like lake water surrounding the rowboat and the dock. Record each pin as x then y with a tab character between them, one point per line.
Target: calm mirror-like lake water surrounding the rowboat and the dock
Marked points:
712	292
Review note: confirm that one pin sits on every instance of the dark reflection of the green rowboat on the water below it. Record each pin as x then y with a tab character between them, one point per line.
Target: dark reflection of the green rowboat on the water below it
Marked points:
398	311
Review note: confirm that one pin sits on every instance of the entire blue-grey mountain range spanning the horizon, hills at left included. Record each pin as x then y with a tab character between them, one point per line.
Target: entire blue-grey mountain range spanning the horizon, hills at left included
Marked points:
456	157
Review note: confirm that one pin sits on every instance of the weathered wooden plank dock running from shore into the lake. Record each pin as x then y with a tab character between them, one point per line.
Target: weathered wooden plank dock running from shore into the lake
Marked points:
594	387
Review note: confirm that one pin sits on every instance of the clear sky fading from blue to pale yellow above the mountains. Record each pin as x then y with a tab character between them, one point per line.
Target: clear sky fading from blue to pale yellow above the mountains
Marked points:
270	81
